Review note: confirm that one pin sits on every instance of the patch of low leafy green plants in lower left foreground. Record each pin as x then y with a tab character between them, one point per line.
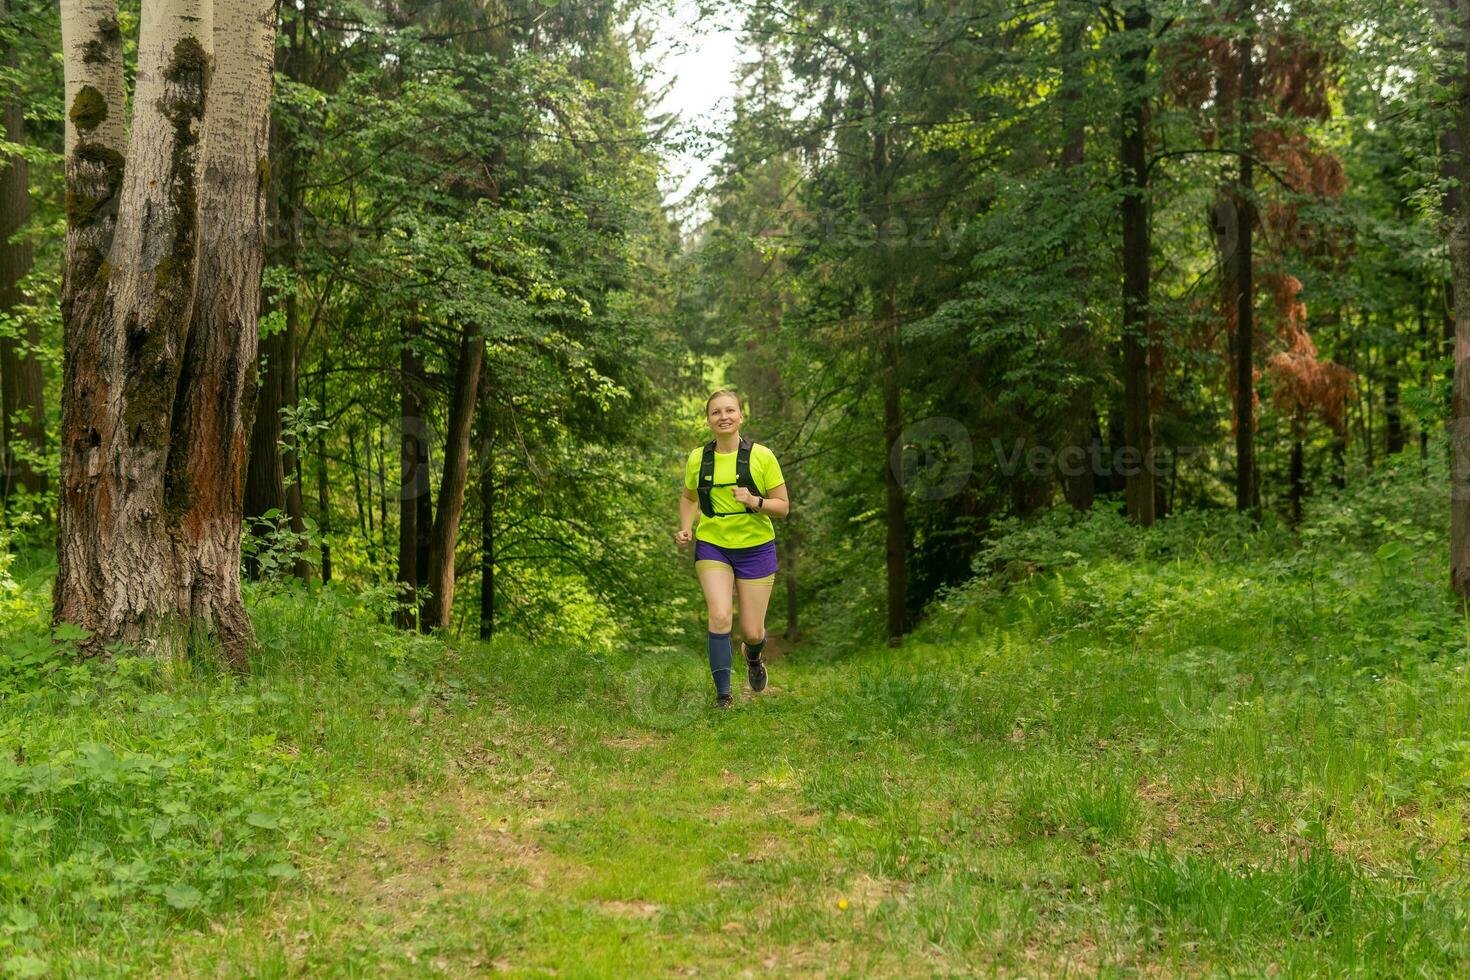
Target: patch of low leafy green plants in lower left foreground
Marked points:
124	797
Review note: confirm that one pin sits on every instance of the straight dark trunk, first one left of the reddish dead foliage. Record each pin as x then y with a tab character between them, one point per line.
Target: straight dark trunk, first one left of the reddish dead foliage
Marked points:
1137	386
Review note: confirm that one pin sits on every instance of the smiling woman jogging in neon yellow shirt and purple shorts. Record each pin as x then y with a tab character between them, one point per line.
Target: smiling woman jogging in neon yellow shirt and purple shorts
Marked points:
736	487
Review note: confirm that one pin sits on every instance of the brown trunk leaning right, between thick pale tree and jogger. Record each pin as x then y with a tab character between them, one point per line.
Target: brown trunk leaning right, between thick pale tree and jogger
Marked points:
456	472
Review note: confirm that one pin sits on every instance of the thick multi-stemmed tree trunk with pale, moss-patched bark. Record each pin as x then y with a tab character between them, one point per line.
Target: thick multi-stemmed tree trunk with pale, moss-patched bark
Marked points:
161	302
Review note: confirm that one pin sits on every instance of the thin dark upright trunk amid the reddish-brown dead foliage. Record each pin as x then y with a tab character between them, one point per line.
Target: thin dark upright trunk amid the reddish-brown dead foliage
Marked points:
1246	283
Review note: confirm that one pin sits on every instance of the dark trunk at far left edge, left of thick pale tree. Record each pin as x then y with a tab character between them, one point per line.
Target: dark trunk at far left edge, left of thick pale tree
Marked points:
23	397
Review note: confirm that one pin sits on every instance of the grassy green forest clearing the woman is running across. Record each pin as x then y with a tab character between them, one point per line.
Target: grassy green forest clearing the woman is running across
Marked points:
1168	763
